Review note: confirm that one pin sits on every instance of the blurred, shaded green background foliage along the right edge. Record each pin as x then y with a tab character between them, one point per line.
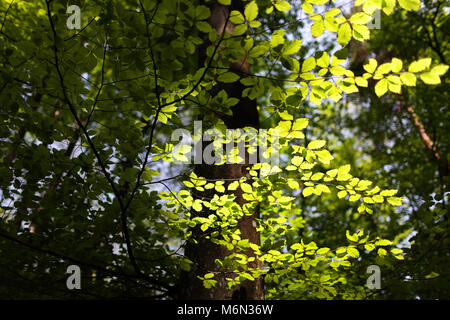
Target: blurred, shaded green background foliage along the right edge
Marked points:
393	141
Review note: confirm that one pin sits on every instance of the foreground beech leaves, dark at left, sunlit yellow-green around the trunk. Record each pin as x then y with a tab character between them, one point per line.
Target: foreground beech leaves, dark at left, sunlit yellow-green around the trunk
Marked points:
87	117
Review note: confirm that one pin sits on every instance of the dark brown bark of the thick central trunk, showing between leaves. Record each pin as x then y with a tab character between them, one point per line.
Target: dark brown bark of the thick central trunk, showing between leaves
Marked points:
204	252
